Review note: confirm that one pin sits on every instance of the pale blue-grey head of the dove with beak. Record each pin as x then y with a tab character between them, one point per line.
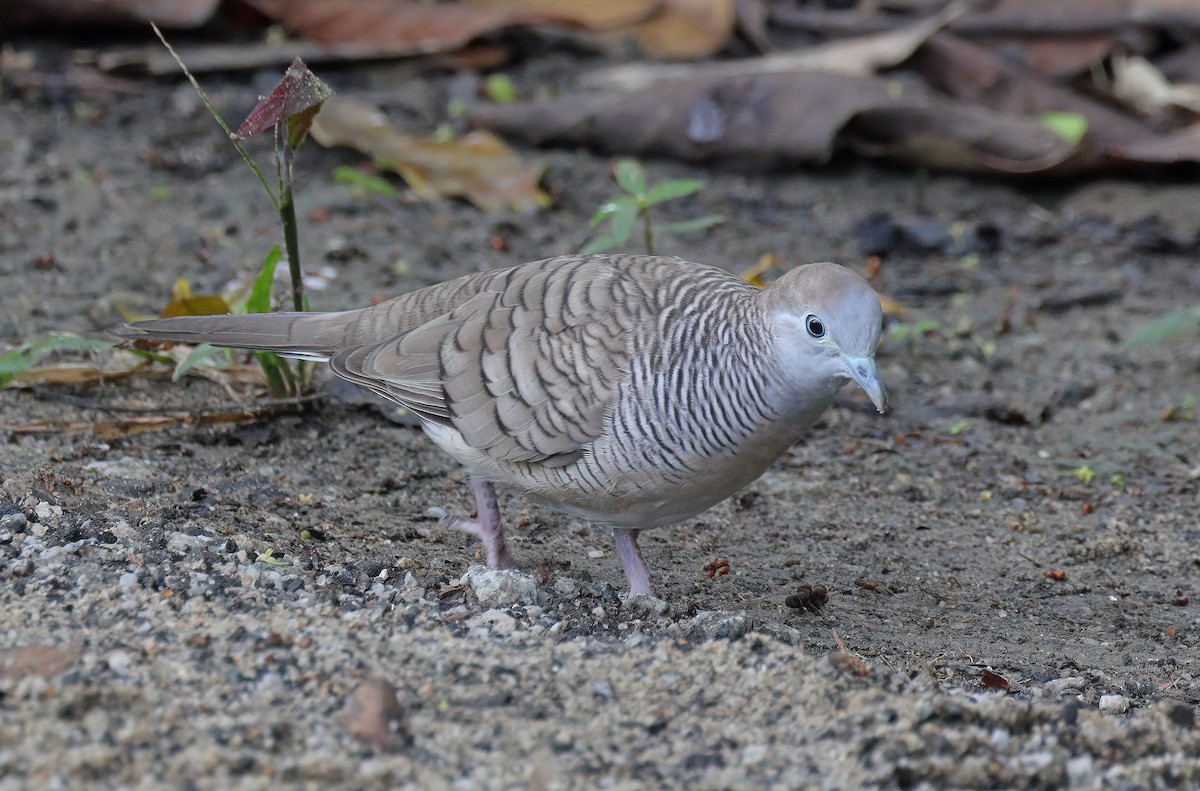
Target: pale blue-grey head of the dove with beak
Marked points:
829	322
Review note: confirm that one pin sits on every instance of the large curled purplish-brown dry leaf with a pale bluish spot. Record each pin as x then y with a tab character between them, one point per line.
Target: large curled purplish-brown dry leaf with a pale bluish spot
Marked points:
802	118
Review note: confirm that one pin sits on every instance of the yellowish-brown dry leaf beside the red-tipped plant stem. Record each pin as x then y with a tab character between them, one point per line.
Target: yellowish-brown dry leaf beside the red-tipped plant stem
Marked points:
479	167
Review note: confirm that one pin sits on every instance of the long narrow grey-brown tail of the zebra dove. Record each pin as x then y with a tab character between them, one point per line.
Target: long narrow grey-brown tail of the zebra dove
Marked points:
313	337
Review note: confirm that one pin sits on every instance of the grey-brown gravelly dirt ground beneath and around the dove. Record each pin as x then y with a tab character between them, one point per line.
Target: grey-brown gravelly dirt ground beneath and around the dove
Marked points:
1012	555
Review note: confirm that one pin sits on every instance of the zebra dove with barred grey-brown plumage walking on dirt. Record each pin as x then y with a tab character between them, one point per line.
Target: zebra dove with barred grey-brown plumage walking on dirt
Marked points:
631	391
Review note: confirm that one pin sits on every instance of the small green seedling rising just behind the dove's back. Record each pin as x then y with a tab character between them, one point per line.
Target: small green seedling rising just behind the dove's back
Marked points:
623	212
